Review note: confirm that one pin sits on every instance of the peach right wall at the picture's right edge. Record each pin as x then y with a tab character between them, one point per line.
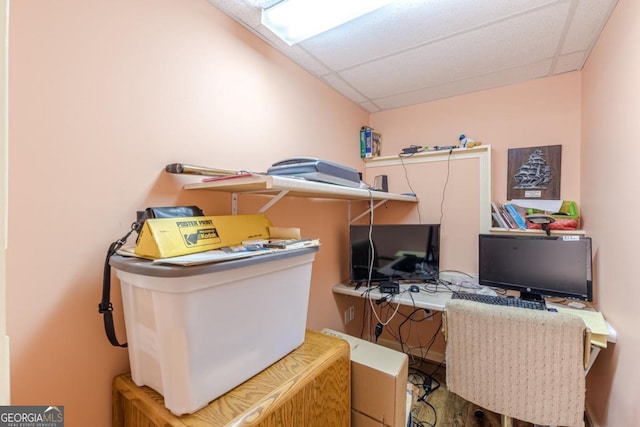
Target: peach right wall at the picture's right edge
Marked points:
610	175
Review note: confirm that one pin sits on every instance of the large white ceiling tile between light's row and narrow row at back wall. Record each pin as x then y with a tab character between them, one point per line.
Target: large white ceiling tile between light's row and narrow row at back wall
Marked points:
485	50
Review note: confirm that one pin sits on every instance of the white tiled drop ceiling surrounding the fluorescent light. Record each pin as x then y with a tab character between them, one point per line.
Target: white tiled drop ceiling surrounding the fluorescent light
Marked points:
415	51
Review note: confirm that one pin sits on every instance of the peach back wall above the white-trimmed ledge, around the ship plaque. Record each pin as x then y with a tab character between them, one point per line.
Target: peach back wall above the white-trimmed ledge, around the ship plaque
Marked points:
538	112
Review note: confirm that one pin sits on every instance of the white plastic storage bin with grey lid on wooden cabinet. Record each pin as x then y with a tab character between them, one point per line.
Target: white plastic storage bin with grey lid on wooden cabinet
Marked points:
196	332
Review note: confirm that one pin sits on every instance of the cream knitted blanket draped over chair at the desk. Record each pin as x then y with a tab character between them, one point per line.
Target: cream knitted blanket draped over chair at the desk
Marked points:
526	364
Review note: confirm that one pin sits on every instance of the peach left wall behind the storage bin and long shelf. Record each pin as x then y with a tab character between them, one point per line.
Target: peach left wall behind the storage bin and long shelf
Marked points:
104	94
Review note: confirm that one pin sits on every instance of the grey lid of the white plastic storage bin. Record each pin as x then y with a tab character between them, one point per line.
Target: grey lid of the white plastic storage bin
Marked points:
147	267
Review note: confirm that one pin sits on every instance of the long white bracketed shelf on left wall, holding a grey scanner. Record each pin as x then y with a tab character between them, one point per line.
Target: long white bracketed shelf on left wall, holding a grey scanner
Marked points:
279	186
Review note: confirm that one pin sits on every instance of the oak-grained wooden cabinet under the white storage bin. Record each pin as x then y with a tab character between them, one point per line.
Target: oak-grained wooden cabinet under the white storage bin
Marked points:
310	387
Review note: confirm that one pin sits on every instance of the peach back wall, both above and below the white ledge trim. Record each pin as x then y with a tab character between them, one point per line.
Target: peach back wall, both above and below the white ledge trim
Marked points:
539	112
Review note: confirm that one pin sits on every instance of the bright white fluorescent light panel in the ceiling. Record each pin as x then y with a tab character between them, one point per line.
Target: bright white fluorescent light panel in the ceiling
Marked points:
297	20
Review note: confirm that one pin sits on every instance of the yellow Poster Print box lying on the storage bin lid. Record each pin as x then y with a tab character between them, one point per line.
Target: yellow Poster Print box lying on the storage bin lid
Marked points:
169	237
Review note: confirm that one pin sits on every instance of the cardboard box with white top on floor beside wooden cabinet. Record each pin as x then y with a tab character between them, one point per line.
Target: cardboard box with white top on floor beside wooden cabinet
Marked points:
379	378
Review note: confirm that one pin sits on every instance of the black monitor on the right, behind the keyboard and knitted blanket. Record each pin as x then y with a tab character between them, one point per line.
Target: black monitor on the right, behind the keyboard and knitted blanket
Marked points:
537	266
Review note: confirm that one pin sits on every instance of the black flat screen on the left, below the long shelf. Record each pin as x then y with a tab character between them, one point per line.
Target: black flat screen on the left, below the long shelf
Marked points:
394	252
